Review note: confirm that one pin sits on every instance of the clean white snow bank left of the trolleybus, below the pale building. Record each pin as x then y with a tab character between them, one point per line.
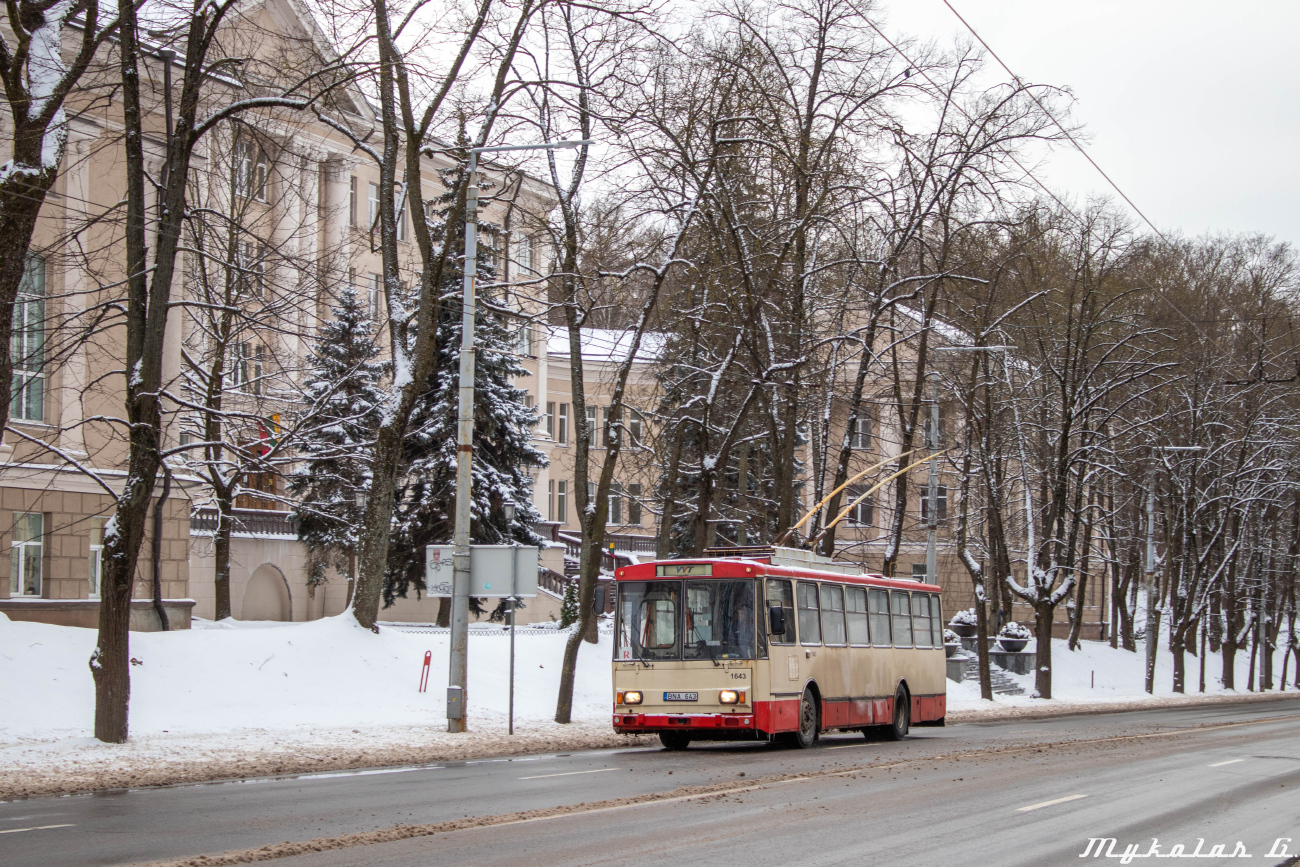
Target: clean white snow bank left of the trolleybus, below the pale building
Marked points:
328	674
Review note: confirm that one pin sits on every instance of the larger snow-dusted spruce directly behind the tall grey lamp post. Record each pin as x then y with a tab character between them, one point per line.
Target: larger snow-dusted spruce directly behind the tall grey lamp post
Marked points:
426	498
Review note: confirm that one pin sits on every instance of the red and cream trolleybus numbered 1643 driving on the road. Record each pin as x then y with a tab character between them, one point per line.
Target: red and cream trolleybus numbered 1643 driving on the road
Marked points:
774	644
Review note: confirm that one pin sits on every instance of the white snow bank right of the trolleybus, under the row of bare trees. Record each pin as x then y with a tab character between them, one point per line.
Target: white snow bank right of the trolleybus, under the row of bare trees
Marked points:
1099	675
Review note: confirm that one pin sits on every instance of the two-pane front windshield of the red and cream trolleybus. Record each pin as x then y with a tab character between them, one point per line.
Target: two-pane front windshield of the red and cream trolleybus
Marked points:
686	621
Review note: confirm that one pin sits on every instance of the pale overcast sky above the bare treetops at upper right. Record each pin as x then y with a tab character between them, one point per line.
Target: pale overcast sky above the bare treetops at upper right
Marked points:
1191	106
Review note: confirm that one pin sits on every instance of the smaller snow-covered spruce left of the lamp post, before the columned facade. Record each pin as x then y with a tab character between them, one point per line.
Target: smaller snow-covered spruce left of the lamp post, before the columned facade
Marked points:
345	396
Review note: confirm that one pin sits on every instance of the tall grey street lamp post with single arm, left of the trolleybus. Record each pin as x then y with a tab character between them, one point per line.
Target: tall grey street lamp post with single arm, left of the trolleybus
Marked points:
457	677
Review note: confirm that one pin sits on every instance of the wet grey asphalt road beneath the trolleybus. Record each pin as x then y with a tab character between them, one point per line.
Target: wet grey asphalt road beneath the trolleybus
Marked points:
998	794
